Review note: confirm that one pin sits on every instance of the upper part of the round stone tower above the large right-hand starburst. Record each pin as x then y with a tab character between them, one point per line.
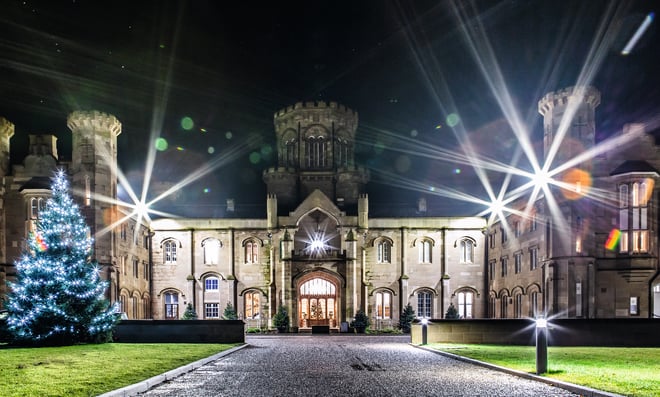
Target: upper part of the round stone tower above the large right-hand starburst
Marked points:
569	115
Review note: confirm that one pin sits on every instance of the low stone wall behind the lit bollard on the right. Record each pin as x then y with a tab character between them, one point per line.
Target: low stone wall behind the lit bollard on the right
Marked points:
561	332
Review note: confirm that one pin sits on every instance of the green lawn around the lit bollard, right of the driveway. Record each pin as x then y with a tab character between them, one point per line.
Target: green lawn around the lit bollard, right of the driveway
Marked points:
622	370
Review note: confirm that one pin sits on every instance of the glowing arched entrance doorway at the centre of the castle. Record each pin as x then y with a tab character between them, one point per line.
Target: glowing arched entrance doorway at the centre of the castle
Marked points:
317	301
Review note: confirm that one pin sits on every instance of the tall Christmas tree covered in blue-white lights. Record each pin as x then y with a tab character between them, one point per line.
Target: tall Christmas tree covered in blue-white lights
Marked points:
58	298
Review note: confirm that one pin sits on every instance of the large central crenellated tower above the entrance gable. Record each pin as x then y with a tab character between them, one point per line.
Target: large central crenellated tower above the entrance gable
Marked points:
316	146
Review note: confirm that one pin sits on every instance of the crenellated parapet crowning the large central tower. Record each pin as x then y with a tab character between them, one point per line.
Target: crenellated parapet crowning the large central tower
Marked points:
318	112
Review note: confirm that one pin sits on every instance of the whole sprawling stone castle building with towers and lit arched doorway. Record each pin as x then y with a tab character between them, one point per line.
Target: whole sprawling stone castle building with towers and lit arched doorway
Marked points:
319	253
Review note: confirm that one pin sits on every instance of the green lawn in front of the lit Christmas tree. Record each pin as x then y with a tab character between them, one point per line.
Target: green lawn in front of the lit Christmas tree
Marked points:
85	370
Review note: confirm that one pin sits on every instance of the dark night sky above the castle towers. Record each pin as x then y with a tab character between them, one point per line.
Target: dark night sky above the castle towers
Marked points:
404	66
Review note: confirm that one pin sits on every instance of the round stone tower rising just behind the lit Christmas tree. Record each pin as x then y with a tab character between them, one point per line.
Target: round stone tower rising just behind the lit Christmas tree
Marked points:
94	172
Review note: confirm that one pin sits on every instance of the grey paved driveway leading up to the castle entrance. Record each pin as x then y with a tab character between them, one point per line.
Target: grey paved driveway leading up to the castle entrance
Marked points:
323	365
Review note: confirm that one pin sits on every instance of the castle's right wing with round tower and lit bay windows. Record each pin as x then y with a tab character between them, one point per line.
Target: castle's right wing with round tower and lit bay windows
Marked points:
595	255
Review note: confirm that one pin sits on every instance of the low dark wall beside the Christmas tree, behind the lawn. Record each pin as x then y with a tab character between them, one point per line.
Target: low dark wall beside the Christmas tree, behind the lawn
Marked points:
180	331
